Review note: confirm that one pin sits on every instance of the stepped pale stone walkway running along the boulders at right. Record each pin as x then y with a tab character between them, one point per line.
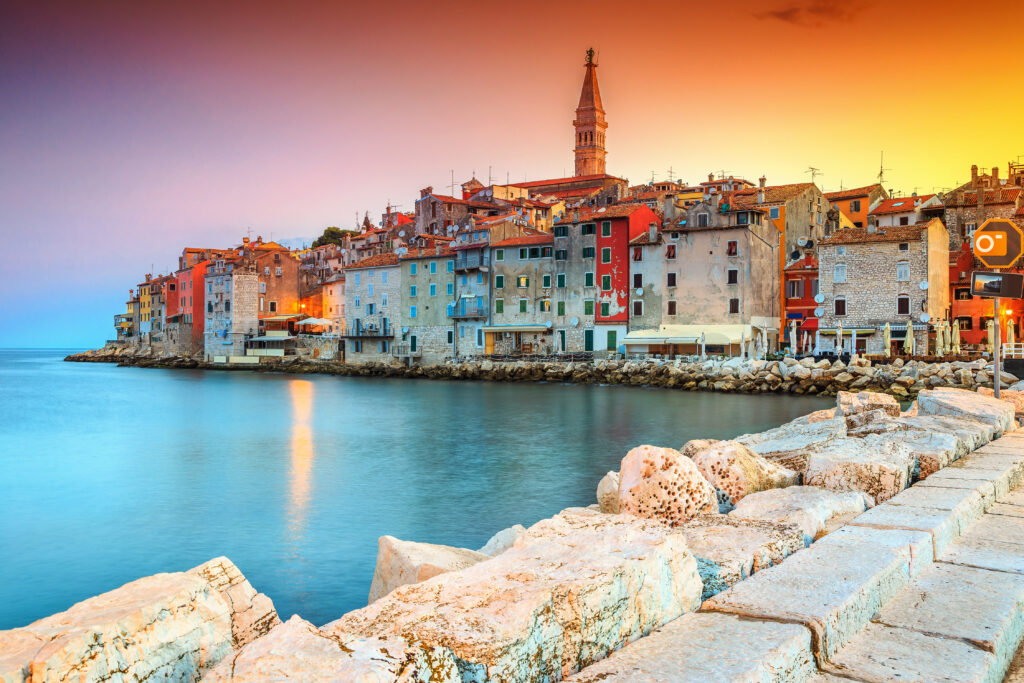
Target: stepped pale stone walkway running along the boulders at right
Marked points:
928	586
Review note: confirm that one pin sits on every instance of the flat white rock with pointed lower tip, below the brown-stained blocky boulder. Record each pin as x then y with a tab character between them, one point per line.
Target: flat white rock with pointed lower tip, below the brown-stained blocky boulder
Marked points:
815	510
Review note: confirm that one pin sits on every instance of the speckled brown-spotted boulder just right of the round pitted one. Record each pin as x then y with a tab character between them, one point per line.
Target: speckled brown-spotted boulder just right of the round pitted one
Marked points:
738	472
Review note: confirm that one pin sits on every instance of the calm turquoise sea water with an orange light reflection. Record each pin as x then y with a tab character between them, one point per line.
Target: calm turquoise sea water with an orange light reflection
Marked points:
108	475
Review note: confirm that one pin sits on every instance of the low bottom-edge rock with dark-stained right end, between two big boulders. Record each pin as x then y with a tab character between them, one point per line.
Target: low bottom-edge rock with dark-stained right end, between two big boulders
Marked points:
297	651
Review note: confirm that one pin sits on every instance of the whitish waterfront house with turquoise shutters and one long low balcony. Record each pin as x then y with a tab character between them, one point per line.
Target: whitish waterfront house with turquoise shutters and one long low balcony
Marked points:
373	297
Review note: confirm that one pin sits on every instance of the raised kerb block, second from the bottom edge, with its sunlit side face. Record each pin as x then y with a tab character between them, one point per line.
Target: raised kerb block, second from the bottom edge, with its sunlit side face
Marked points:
834	588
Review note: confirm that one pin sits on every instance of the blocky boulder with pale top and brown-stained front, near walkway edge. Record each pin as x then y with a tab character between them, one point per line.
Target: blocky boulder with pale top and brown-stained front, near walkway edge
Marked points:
876	466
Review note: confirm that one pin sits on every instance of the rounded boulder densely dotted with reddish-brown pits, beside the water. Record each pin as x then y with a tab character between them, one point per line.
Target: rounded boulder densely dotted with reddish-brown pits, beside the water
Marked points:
664	485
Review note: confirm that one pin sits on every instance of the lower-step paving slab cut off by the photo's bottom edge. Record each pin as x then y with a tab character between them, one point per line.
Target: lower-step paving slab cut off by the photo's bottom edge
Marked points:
884	654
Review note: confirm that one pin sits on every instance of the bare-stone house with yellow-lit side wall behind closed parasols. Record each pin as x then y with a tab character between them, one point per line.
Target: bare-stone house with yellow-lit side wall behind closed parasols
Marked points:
871	277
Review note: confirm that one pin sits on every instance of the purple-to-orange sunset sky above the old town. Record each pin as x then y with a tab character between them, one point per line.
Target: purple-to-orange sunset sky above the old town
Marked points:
130	130
